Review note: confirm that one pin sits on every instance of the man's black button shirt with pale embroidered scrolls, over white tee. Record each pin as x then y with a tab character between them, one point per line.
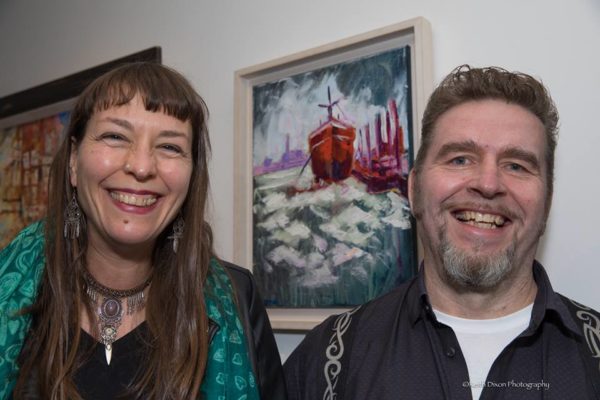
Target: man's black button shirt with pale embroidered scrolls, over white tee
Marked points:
397	349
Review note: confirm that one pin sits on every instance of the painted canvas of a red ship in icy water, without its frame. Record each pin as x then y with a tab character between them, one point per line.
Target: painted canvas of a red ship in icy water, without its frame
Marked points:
332	149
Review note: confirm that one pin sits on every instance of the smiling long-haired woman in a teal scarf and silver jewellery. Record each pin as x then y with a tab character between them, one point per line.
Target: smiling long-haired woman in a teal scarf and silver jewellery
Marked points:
119	290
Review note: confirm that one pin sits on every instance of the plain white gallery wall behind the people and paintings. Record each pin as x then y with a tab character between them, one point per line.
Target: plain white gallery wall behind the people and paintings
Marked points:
556	40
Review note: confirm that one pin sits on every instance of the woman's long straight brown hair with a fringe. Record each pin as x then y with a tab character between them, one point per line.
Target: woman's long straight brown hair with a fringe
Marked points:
175	310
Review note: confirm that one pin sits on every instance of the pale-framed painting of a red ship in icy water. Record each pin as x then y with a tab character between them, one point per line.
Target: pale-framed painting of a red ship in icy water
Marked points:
324	143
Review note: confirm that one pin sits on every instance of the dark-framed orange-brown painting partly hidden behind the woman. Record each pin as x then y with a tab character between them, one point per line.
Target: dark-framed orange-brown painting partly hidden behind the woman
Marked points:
32	125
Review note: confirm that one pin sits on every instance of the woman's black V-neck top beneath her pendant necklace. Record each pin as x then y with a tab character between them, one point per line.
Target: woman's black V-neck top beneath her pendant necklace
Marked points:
97	380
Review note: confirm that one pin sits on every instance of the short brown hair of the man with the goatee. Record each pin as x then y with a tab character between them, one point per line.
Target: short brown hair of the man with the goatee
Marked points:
465	84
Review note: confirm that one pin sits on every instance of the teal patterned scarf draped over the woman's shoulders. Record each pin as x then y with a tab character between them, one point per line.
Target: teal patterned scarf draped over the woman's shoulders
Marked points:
228	372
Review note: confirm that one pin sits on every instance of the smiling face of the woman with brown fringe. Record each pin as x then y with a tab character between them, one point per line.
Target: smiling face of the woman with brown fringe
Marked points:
132	170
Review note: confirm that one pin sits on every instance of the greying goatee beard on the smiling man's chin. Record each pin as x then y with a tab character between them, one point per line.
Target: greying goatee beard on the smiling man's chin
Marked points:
472	272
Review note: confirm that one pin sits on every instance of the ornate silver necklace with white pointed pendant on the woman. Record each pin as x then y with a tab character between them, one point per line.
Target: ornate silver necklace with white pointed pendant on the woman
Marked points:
110	310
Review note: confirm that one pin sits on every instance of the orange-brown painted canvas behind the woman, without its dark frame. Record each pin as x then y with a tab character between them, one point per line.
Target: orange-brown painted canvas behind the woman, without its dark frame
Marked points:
26	153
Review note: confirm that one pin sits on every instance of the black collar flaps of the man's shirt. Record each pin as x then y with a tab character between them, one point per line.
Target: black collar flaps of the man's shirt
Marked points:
547	303
